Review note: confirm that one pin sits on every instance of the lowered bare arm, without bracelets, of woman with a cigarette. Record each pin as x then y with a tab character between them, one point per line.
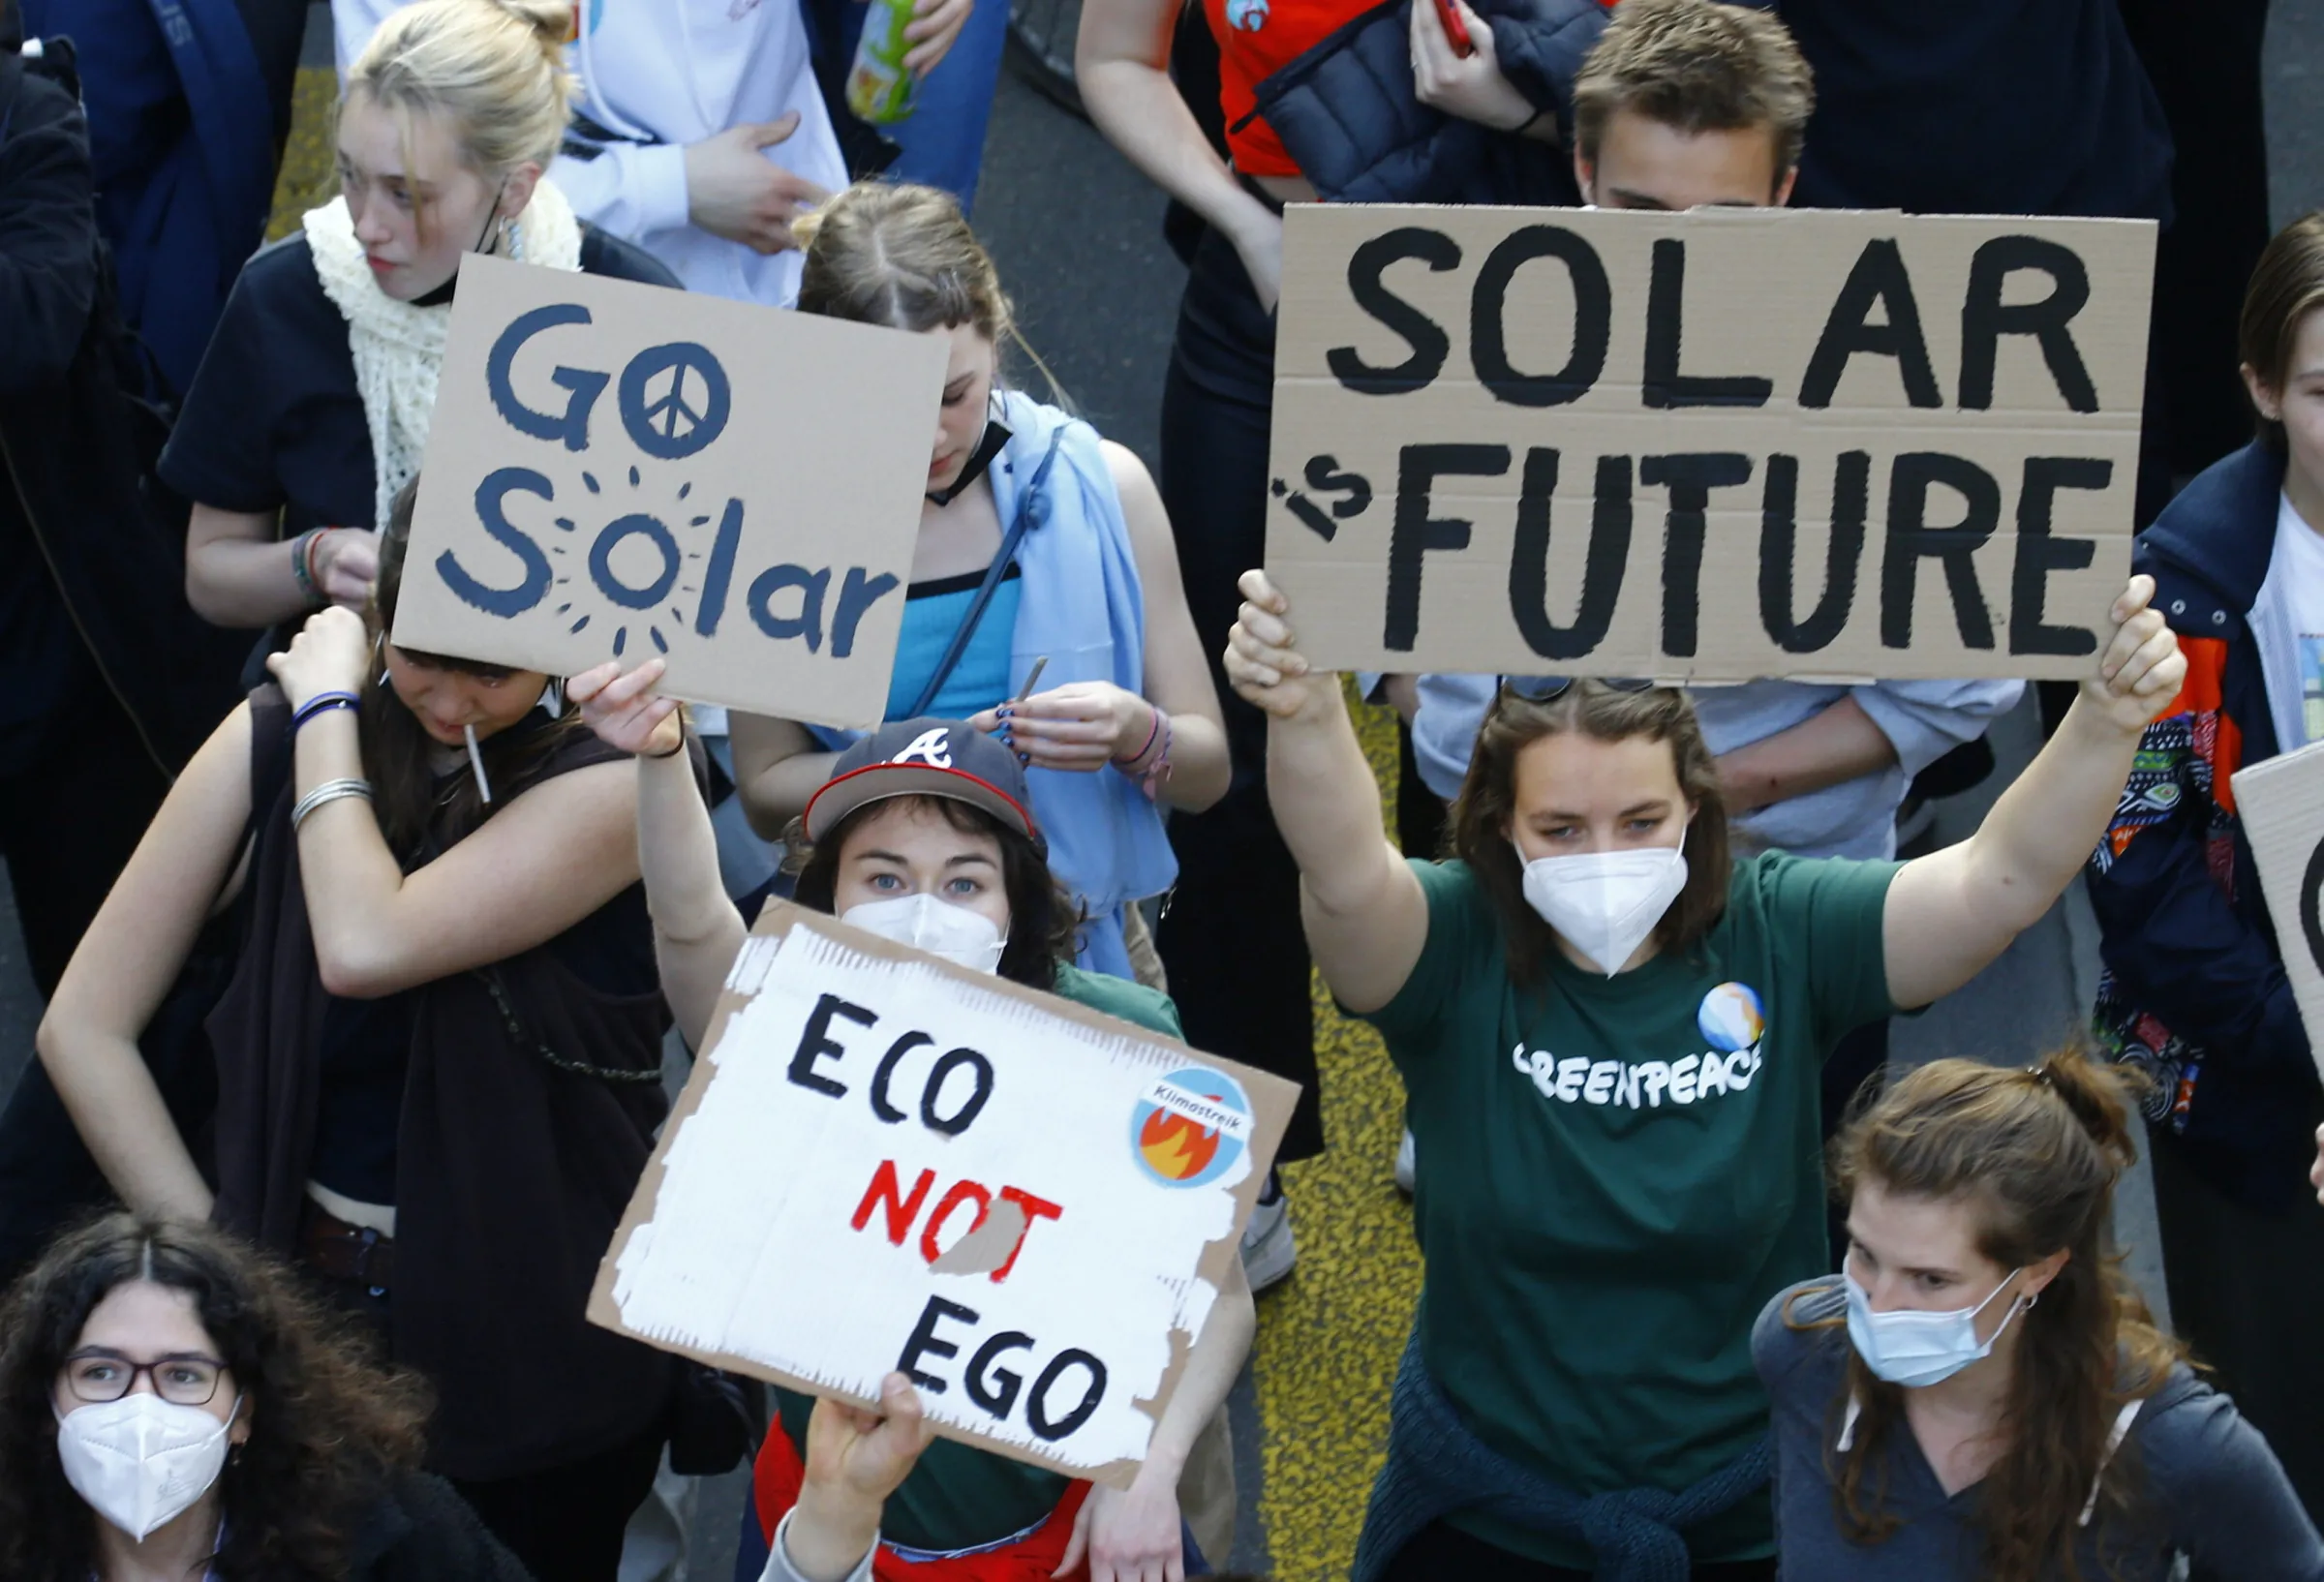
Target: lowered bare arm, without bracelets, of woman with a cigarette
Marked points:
124	968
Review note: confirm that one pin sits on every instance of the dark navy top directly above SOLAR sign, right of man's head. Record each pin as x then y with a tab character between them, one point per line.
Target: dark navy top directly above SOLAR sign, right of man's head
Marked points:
1979	108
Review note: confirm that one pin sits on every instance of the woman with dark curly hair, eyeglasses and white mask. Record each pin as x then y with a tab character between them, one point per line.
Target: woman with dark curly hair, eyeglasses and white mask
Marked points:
175	1411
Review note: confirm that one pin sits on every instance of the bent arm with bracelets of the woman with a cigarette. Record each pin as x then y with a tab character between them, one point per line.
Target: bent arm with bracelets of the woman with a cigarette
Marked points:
540	865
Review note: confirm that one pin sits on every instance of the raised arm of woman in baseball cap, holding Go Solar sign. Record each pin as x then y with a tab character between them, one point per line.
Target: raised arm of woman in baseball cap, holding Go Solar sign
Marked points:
696	928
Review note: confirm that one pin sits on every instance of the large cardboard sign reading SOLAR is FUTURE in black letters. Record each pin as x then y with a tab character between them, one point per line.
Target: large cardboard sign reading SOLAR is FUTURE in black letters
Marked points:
1712	445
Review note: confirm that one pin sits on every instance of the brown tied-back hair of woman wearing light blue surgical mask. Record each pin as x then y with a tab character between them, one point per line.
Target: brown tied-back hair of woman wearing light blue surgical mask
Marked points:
2035	1156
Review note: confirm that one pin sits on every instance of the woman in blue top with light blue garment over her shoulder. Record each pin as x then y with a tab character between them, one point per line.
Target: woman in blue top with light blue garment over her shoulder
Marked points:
1045	594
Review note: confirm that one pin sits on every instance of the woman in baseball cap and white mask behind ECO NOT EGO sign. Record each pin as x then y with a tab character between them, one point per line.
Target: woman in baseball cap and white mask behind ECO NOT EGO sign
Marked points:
921	835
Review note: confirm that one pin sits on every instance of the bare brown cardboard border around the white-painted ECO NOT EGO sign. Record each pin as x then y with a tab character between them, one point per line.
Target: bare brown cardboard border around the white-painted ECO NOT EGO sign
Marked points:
1270	1114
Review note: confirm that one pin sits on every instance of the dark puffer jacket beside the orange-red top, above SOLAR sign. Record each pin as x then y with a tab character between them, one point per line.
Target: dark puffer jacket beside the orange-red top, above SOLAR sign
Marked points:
1349	113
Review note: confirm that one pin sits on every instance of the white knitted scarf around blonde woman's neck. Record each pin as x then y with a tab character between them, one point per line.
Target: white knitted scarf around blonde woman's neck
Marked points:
399	345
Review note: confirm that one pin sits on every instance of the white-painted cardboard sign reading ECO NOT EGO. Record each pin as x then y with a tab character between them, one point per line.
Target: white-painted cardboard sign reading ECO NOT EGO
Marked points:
891	1163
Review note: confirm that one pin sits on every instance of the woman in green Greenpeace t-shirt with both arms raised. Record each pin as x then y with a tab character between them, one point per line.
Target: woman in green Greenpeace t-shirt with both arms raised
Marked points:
1612	1042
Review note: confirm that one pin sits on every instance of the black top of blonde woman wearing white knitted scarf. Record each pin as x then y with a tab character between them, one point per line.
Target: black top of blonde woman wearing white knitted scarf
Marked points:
275	422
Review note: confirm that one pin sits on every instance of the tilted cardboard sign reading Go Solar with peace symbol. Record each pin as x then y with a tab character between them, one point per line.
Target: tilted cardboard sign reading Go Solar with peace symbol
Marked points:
622	470
